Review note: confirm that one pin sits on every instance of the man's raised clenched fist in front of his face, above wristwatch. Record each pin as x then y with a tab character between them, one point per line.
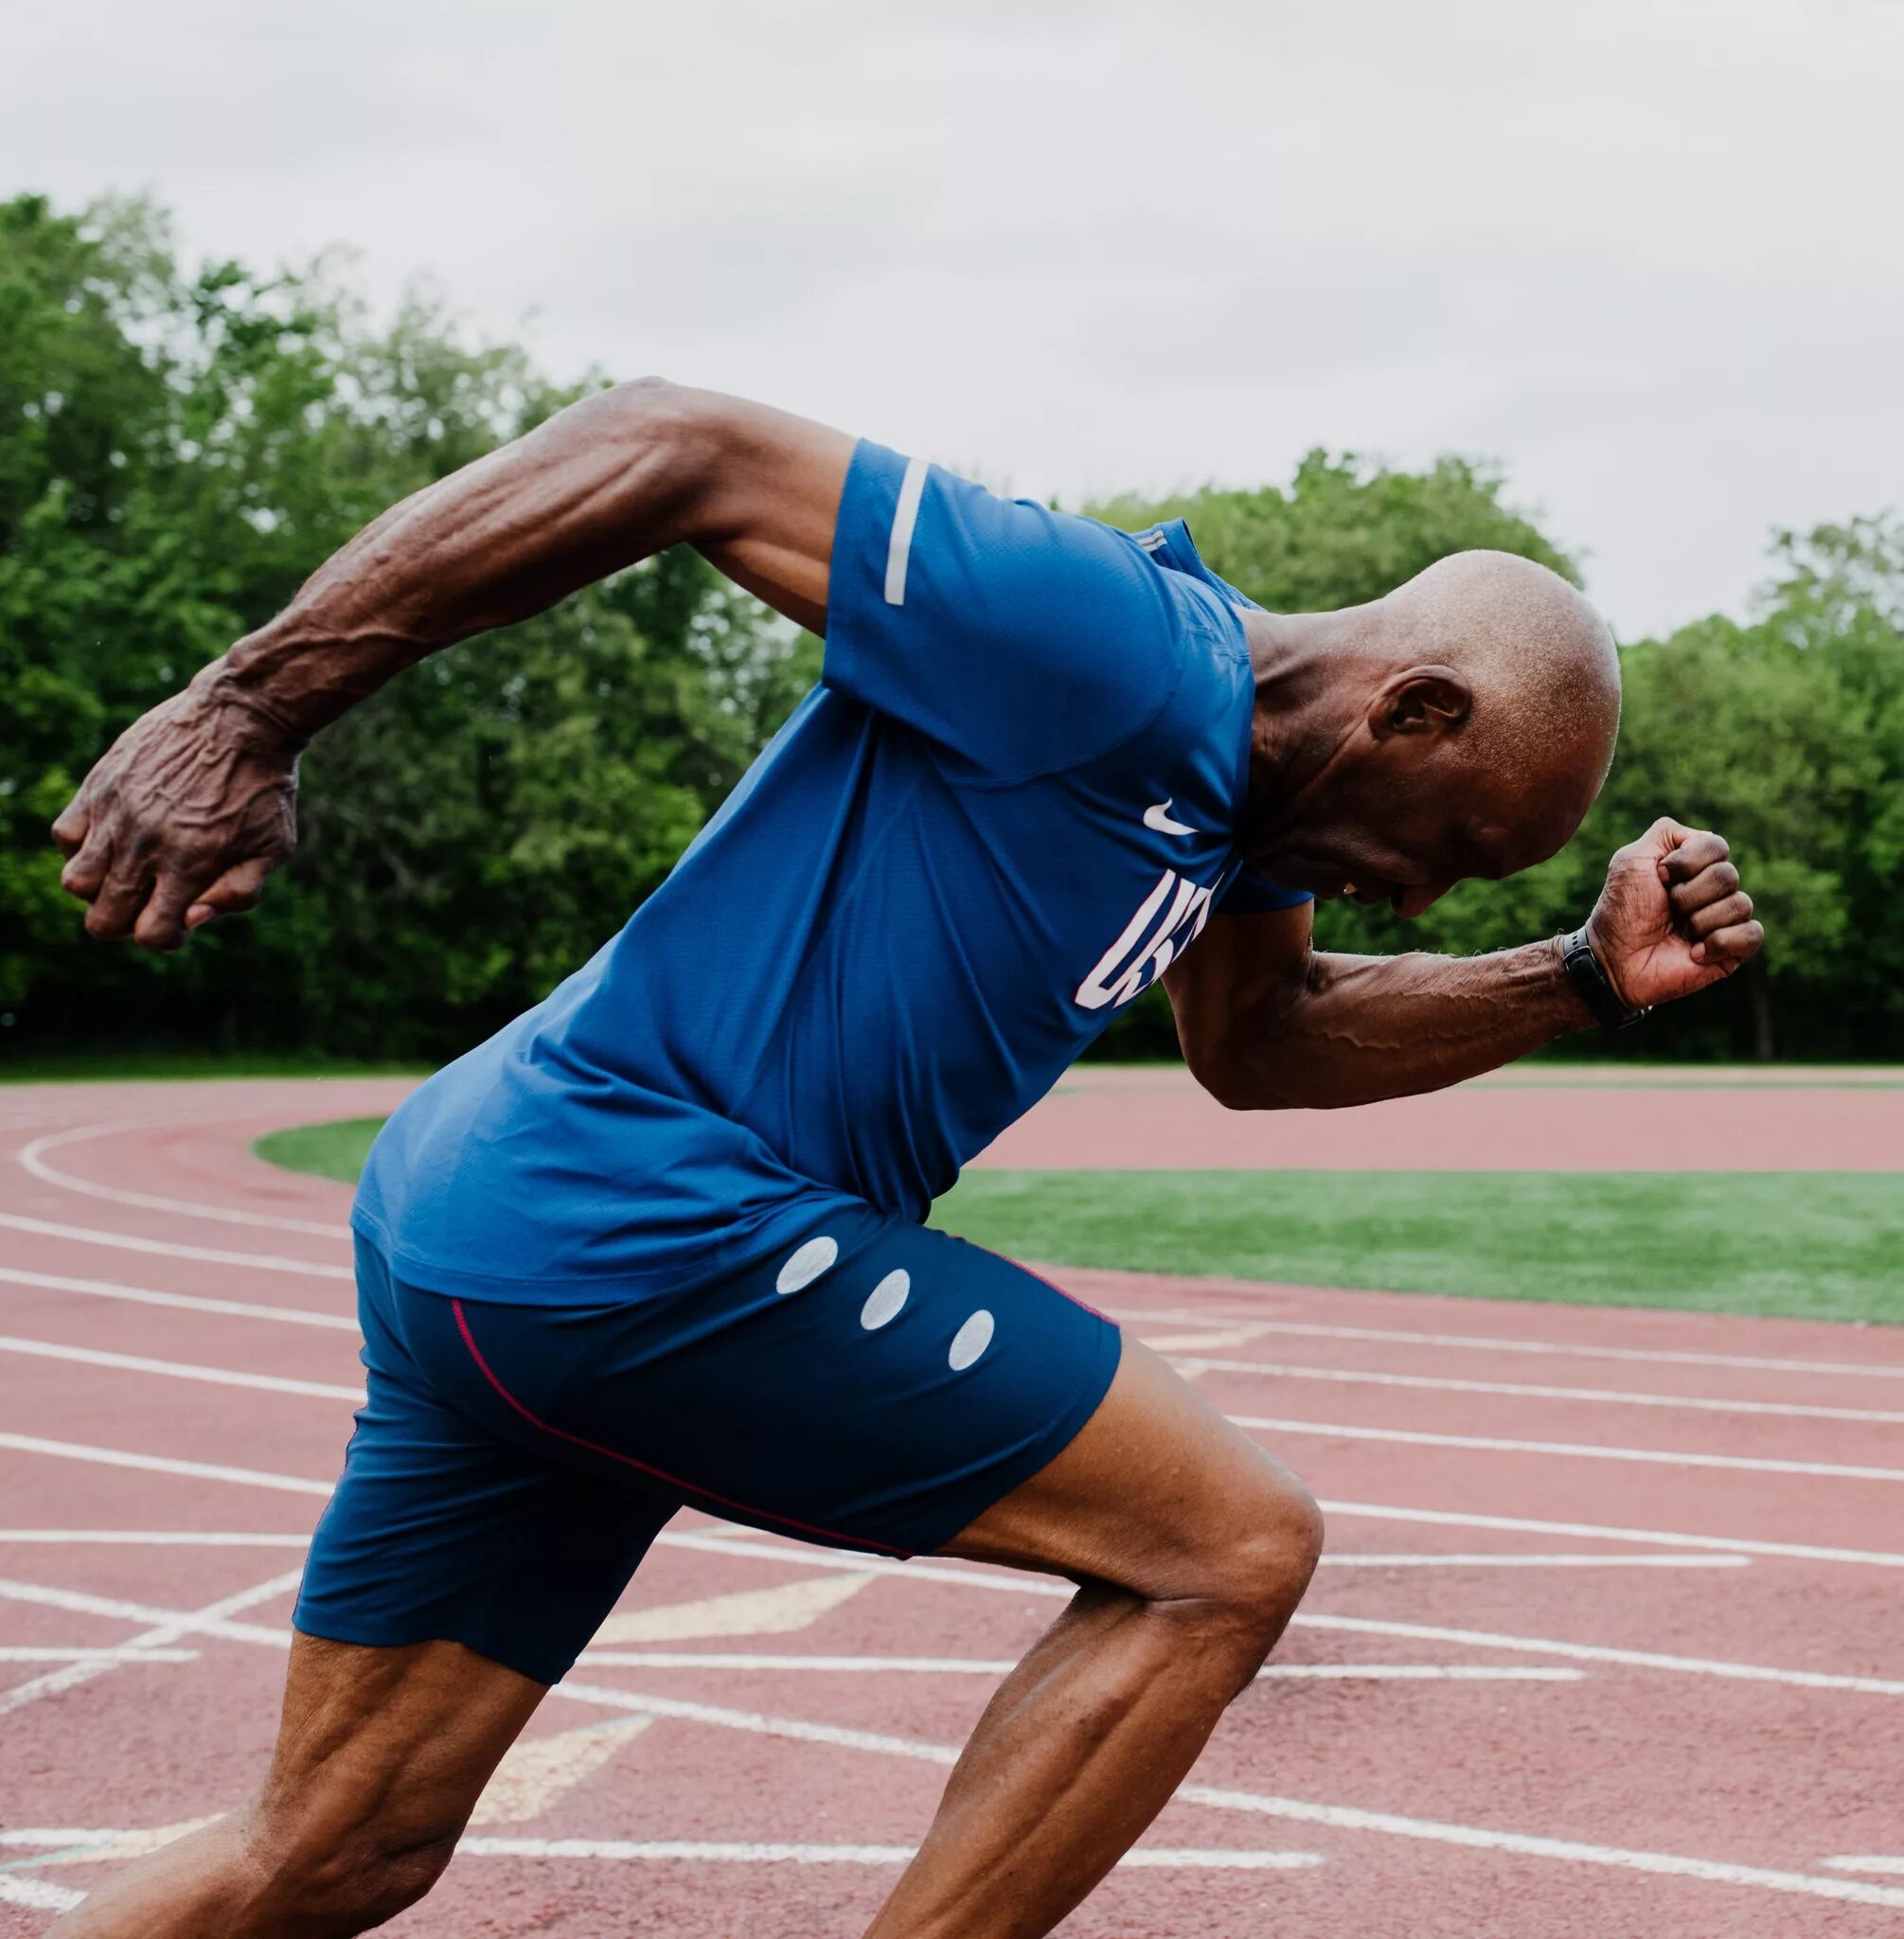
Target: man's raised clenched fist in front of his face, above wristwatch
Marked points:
1672	918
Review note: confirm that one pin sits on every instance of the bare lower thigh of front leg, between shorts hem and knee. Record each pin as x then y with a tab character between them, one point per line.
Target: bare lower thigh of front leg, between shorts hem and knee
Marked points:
1158	1494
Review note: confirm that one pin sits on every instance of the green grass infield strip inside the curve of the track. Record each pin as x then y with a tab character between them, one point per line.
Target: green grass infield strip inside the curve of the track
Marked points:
1802	1244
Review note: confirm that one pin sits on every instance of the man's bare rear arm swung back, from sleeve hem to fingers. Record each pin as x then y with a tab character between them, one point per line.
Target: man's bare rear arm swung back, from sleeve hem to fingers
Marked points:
195	804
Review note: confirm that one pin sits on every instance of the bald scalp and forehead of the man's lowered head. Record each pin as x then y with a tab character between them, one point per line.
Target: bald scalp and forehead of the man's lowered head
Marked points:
1539	658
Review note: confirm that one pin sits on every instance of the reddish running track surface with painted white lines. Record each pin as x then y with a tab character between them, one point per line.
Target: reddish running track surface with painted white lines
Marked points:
1721	1667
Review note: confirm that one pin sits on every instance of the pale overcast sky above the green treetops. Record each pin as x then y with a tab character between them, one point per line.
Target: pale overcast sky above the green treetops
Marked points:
1645	253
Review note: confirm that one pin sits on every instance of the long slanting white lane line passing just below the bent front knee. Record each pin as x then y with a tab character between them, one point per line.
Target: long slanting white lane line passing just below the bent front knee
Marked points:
1044	1587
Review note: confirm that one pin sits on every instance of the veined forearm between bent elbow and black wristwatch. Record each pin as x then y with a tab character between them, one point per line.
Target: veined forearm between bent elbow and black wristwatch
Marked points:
1360	1029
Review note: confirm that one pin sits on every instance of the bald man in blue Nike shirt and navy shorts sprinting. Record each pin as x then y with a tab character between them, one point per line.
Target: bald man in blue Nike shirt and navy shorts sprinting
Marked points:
660	1242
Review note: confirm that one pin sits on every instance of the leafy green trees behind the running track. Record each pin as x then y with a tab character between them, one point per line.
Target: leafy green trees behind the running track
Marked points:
181	447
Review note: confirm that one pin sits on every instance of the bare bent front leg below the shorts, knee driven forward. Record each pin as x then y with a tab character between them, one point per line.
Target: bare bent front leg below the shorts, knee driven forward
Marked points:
1193	1550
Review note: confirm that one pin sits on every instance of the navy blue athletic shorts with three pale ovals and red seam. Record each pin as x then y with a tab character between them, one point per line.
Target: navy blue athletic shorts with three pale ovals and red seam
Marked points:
875	1387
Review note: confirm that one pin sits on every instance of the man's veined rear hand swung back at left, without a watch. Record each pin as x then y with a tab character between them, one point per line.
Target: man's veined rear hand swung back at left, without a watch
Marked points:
183	817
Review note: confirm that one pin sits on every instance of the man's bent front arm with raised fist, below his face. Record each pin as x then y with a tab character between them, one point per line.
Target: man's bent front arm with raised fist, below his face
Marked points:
1267	1023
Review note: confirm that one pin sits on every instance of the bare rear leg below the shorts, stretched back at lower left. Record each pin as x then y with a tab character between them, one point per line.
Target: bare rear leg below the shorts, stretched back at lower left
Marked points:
381	1760
